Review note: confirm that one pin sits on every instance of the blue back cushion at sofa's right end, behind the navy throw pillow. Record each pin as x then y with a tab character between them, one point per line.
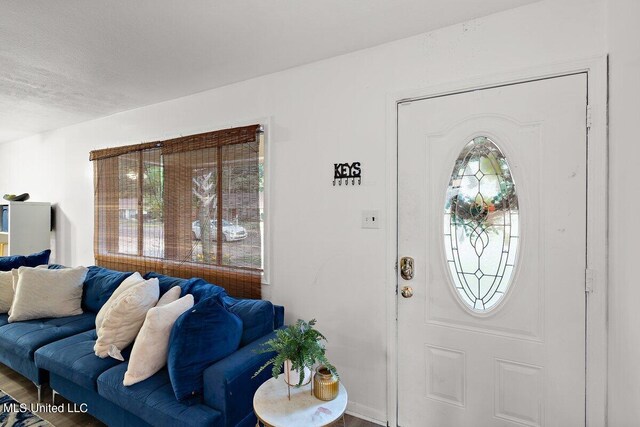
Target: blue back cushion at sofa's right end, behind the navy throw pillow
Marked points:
257	317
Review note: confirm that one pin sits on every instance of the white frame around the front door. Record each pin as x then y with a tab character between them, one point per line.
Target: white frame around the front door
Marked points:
597	219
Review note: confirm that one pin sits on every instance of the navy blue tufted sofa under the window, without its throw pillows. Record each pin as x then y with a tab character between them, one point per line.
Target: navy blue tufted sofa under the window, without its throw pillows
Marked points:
60	352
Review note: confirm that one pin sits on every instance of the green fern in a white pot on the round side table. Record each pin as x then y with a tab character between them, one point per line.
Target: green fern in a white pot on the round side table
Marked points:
298	347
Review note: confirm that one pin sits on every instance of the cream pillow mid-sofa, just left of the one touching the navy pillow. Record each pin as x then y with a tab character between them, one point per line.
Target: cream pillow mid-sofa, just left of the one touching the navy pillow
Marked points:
125	317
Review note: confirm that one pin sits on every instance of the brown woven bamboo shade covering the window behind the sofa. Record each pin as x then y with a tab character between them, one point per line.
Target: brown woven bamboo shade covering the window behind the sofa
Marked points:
185	207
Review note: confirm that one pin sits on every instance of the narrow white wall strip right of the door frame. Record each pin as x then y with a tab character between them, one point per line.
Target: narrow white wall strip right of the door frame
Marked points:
624	199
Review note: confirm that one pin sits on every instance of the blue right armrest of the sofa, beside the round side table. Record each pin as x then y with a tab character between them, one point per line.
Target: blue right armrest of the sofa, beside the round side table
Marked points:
228	386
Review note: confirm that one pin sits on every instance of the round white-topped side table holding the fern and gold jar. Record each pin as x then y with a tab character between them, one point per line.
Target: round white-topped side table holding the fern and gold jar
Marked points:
274	409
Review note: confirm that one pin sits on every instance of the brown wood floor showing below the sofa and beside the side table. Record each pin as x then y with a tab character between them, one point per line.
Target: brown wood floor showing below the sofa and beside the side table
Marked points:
23	390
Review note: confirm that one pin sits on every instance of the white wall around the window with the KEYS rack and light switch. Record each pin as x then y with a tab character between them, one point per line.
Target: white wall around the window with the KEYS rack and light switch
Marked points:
323	264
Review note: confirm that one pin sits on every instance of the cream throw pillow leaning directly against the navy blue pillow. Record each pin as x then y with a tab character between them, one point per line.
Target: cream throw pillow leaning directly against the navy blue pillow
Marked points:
151	348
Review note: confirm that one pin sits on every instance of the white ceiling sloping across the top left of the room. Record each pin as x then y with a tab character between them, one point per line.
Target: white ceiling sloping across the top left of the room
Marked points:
67	61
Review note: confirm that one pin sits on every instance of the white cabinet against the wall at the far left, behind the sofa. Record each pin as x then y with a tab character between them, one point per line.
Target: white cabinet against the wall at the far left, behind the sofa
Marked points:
25	227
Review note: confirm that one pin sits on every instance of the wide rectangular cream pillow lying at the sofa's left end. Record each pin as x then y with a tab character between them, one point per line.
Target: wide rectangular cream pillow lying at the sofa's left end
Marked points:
41	293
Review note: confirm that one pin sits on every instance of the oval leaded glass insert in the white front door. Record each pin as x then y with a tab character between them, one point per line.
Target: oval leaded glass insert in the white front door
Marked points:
481	229
